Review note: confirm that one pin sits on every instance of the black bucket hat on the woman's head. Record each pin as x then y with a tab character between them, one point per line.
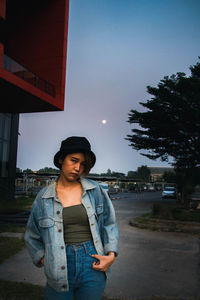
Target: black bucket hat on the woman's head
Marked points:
74	144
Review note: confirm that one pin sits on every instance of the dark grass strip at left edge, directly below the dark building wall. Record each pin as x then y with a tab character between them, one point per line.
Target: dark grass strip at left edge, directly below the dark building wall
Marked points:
17	205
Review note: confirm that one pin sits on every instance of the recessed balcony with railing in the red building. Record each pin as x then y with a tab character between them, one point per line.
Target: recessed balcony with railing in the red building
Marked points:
15	68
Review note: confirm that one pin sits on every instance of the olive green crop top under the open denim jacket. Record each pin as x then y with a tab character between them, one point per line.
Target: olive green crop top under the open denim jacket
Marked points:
76	225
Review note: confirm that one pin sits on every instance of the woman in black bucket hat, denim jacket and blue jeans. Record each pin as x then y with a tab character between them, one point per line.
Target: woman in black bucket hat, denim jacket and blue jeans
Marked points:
72	229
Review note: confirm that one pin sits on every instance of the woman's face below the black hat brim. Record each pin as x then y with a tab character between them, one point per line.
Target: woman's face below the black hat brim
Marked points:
73	166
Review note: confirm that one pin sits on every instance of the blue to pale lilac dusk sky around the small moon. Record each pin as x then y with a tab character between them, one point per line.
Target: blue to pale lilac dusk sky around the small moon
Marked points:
115	49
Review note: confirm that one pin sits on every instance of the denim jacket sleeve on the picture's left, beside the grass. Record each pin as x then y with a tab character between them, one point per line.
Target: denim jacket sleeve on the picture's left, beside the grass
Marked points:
33	238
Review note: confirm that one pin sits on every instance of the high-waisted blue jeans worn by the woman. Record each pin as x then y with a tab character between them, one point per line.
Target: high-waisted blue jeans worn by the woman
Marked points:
85	283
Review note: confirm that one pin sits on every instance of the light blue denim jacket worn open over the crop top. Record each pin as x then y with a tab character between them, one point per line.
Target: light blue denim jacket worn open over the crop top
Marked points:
44	233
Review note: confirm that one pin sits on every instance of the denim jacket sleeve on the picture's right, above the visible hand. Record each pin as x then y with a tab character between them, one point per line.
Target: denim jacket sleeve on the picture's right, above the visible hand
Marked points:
110	230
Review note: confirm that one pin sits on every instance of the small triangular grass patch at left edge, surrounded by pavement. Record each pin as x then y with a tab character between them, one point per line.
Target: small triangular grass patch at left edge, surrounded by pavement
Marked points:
9	247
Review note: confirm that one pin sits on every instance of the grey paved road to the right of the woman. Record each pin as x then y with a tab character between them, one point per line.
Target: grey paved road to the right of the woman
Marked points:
151	262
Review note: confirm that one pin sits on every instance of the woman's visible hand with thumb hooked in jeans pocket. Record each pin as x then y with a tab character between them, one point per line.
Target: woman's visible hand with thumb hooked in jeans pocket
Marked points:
104	261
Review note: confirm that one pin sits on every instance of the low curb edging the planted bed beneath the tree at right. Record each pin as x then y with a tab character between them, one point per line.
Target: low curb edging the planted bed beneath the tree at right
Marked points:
168	226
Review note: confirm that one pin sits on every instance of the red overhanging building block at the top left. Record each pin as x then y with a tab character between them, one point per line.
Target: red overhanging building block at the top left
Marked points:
33	50
